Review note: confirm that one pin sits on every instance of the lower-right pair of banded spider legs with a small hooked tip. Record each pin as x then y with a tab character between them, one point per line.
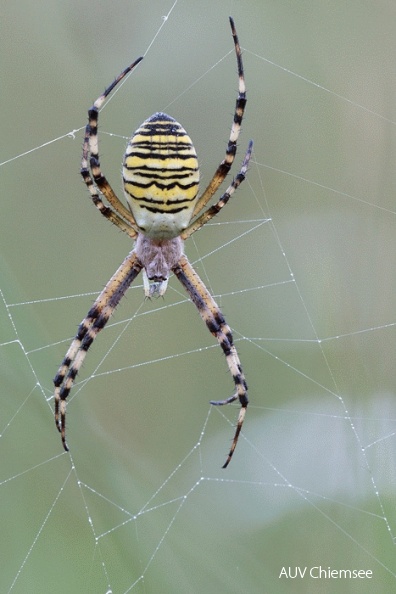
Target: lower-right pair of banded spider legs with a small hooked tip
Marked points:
214	320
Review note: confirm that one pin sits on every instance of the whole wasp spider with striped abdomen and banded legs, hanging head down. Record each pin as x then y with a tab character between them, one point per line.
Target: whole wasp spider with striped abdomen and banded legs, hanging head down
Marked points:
160	176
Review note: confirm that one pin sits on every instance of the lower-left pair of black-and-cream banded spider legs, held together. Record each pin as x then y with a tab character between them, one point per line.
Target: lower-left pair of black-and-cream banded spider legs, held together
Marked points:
91	325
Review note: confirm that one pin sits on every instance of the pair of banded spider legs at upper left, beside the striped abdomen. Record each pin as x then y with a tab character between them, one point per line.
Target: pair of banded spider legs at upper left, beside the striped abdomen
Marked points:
120	216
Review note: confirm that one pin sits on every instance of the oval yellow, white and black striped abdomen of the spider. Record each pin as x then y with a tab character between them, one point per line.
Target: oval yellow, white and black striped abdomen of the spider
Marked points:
161	177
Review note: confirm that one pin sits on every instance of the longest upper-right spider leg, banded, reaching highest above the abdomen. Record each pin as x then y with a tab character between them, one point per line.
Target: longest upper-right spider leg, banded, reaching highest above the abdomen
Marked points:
225	165
